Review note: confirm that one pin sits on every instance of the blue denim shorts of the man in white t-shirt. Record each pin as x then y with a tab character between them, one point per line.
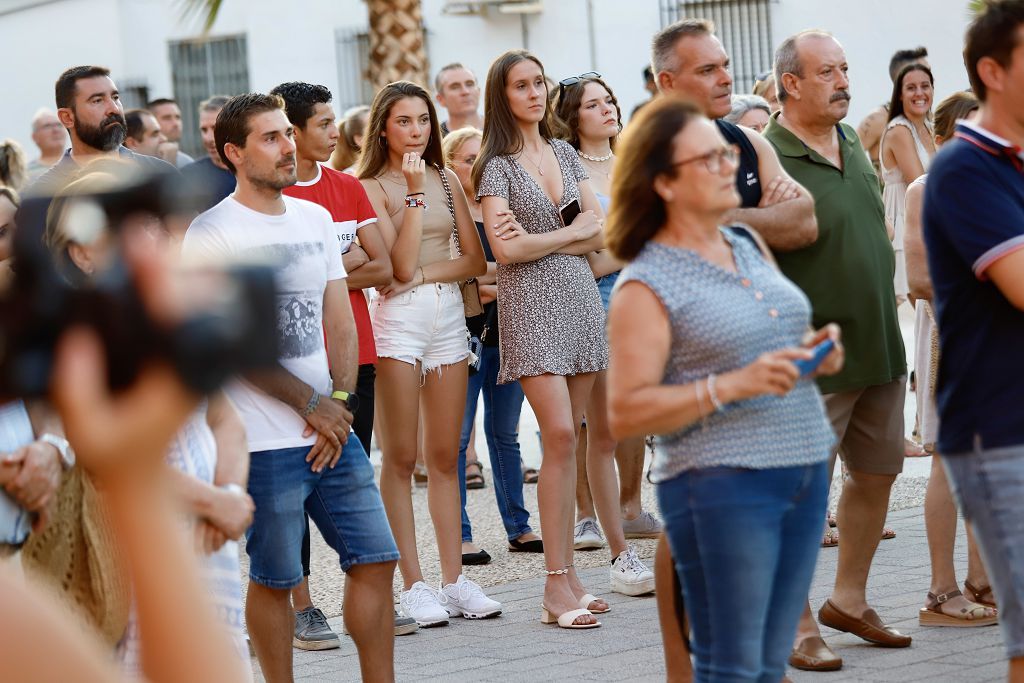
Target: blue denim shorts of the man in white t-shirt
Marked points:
344	502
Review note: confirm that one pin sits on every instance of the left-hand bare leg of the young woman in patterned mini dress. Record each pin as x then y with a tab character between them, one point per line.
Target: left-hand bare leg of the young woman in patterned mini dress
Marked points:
559	404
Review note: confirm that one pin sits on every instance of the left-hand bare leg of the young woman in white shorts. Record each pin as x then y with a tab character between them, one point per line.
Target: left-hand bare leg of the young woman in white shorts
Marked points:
397	412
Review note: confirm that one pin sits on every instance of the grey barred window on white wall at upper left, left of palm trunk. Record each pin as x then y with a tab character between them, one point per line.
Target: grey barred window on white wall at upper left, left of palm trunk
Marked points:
201	69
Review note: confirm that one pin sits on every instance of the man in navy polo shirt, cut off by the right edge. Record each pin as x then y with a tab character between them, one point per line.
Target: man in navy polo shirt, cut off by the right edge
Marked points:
974	231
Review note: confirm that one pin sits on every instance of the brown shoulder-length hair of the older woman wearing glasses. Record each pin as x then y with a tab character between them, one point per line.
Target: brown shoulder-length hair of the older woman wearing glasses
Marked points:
646	153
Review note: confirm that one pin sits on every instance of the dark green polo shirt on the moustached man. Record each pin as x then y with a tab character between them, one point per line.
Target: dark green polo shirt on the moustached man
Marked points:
848	273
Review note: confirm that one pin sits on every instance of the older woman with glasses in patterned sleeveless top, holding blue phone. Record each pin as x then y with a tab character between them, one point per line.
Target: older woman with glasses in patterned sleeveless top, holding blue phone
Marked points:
708	340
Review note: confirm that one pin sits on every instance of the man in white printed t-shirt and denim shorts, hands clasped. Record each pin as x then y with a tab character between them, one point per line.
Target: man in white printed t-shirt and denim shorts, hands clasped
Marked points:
298	416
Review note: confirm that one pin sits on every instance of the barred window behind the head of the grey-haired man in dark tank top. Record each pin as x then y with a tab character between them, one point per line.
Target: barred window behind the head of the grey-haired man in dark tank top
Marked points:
743	26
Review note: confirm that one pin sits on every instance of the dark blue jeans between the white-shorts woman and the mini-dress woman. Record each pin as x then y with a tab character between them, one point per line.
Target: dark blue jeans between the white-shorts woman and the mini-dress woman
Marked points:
502	405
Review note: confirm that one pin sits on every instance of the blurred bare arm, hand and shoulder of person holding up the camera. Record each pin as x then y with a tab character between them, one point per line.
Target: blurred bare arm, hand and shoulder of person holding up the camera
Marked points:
122	442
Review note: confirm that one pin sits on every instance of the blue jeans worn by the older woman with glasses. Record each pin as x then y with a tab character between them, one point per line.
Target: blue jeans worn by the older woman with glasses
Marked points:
745	543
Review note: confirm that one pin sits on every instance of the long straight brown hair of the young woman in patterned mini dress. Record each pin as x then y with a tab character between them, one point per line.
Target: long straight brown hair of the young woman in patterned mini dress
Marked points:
501	133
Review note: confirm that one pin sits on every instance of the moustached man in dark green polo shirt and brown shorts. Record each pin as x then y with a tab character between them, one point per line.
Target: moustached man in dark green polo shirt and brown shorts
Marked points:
847	274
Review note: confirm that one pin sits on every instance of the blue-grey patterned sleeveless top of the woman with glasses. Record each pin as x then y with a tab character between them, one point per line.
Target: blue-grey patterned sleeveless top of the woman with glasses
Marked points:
720	322
